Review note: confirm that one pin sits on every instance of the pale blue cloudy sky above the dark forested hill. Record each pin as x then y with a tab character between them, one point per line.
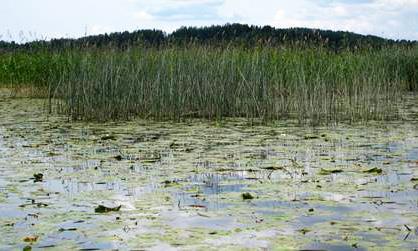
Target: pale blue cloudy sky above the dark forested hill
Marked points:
26	20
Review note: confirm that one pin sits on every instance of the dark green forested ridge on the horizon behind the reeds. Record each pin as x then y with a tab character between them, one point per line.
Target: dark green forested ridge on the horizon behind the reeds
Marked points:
217	35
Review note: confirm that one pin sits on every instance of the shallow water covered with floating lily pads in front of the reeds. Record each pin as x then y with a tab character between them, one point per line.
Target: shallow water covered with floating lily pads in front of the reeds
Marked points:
181	185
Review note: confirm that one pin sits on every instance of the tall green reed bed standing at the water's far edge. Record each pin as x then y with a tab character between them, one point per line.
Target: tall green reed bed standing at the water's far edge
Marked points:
311	84
